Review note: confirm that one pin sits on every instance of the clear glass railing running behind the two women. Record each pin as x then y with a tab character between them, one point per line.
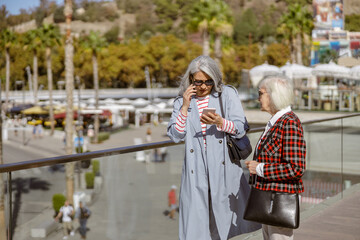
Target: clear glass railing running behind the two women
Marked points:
128	196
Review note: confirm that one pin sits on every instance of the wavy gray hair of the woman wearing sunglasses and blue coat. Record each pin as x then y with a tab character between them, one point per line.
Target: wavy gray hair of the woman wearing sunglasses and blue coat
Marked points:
205	64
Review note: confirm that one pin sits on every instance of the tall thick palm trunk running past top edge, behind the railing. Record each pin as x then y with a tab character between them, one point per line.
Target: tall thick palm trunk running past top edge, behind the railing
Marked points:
69	78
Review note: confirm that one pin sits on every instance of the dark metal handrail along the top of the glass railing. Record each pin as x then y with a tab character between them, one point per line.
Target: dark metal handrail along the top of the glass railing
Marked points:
121	150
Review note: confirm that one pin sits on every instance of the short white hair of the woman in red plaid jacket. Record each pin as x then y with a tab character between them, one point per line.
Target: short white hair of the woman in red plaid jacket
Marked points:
280	90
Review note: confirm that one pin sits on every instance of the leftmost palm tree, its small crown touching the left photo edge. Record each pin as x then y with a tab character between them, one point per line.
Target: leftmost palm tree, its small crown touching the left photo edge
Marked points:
7	39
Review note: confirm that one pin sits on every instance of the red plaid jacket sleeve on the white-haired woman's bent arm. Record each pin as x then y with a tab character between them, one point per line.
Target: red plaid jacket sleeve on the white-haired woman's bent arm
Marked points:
293	151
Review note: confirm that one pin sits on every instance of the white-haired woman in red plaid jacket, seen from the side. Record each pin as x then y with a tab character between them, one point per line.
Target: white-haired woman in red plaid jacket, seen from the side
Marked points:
280	152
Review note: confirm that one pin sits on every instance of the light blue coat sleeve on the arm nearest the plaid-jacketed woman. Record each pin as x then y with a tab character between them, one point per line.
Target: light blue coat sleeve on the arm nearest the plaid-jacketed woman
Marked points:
234	111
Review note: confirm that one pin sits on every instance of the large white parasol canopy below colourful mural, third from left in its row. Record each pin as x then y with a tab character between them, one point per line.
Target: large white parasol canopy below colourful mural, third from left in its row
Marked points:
331	69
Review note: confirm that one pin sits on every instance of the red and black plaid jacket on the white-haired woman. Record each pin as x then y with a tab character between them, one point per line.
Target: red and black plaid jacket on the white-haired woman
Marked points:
284	156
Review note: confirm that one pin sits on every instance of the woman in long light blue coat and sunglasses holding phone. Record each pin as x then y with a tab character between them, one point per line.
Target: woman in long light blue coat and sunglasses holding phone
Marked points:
213	190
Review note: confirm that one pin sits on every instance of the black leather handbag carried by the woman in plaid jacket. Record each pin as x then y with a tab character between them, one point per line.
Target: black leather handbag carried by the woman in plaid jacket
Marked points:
273	208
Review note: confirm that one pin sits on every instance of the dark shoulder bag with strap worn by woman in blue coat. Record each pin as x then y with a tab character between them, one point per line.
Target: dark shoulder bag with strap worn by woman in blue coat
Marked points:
239	148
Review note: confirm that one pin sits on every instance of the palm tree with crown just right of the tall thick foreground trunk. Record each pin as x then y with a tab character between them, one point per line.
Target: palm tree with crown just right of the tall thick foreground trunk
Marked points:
94	43
